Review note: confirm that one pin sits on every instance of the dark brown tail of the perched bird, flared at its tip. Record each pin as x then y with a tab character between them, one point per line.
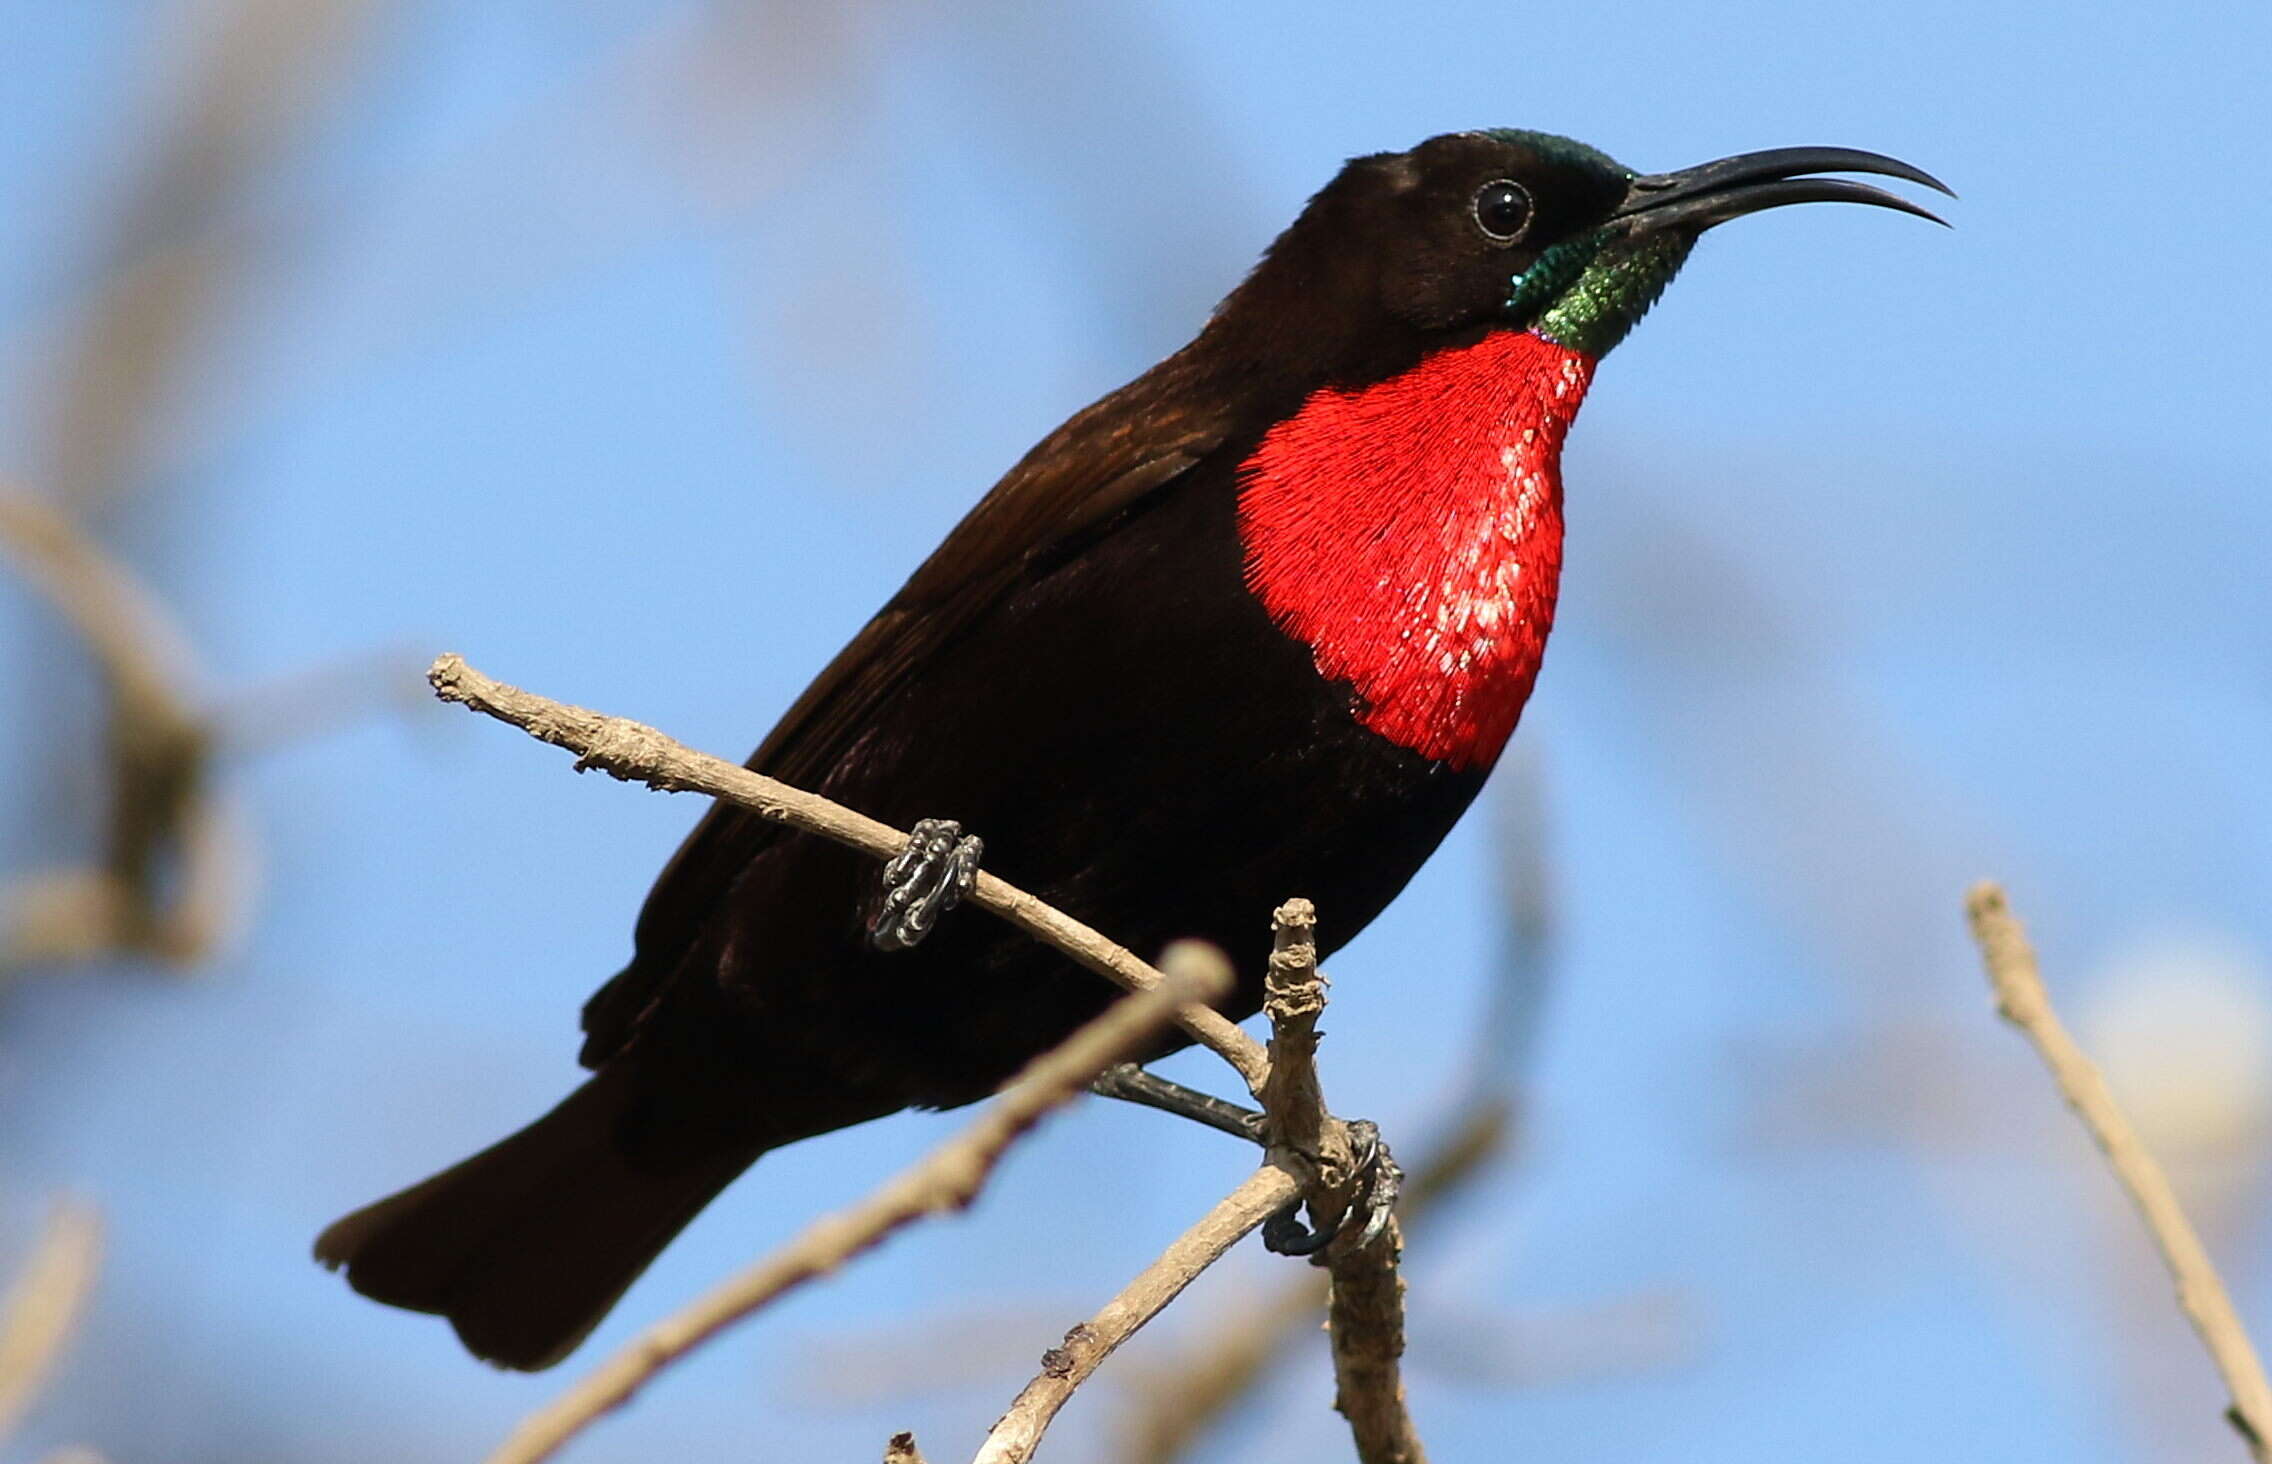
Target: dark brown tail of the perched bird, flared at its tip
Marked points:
531	1242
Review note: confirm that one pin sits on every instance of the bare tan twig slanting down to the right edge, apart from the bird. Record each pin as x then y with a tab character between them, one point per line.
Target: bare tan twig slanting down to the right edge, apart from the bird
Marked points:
2025	1004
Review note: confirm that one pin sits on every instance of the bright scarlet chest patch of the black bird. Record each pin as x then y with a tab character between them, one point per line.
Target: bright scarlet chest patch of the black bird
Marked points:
1410	533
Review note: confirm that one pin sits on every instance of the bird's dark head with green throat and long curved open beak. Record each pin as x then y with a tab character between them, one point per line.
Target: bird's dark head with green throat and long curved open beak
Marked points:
1523	231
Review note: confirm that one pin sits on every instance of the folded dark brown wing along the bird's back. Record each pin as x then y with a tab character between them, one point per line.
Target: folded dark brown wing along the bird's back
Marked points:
1071	485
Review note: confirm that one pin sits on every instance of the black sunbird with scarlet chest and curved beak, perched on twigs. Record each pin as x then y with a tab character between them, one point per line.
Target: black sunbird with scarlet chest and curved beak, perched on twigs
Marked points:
1258	624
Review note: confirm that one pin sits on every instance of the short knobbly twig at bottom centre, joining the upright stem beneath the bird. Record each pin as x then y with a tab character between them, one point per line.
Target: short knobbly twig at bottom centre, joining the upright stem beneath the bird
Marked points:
1092	1342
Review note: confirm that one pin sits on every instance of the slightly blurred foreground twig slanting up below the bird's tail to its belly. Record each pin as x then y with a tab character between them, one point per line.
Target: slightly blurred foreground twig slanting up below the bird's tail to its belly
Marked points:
949	1179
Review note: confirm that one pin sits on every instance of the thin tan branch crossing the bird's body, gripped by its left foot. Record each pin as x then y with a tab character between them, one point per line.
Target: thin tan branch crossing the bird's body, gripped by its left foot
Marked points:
640	754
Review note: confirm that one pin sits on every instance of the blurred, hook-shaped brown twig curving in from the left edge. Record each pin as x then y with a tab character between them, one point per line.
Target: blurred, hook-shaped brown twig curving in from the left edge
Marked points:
169	876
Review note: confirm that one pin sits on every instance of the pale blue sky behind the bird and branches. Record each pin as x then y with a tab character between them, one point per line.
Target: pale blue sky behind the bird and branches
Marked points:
637	351
